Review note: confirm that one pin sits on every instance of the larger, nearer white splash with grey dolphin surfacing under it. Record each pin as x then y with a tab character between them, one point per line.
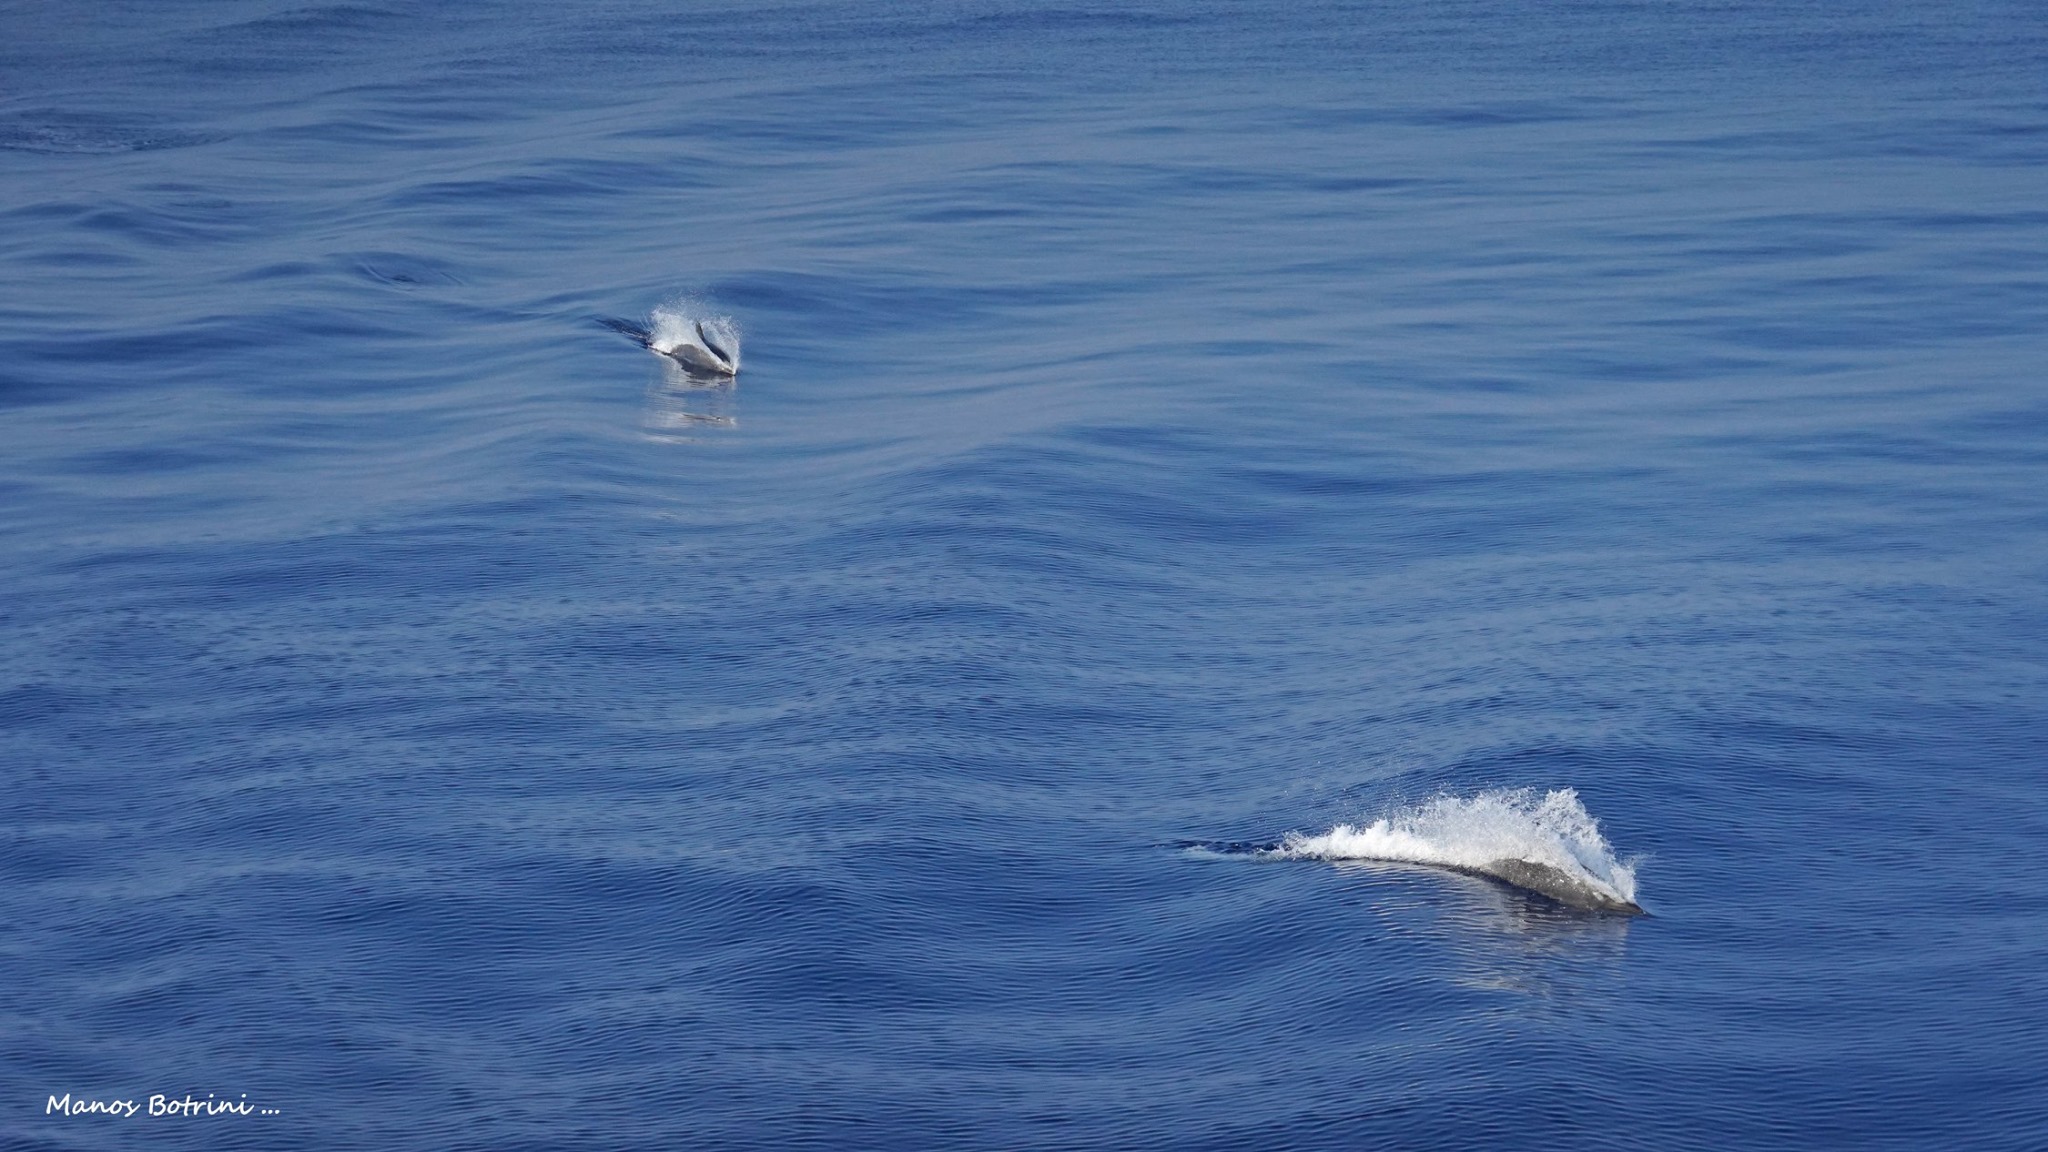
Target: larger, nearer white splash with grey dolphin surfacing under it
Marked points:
1478	835
